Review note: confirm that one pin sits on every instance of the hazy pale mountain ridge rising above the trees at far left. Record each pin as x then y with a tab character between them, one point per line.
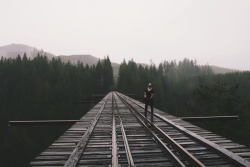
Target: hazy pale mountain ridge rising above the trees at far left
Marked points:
13	50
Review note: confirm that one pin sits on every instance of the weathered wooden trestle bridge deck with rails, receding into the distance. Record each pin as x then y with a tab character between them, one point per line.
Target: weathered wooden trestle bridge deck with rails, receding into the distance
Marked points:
115	133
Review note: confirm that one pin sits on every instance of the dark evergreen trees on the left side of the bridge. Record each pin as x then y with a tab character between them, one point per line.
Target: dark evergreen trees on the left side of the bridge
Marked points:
42	89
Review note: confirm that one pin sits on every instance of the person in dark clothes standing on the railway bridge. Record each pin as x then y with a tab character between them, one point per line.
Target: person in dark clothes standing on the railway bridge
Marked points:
148	97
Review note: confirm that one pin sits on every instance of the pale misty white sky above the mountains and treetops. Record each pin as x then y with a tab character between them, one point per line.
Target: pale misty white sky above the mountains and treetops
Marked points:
214	32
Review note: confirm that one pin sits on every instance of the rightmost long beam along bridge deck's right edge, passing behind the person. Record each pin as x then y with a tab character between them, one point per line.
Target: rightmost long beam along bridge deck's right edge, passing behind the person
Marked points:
234	158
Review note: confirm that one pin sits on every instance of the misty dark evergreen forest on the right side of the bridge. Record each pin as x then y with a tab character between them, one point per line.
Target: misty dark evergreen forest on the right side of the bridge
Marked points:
187	89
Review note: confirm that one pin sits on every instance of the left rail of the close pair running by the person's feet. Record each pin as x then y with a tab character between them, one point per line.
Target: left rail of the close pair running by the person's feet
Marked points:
170	154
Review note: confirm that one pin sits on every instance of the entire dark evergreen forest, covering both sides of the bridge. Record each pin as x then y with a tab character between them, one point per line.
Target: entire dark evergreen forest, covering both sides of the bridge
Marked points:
40	89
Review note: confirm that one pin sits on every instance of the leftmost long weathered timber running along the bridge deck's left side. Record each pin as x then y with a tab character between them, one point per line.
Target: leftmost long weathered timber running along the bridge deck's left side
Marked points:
77	152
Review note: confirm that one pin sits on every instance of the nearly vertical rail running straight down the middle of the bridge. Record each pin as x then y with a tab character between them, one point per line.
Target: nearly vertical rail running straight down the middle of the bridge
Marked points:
114	142
